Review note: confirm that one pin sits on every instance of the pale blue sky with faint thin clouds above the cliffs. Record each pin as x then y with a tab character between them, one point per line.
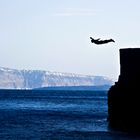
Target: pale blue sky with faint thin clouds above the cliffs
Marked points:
53	35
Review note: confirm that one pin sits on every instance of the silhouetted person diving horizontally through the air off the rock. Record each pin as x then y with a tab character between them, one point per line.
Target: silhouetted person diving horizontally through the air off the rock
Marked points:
99	42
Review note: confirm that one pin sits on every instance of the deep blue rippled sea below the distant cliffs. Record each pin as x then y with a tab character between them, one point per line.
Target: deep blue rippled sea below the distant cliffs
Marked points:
56	115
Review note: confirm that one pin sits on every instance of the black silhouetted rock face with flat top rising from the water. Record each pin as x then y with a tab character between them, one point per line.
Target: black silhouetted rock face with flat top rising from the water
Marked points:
124	96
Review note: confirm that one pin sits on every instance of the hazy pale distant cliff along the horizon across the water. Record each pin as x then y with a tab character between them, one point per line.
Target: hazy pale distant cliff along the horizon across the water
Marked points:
29	79
